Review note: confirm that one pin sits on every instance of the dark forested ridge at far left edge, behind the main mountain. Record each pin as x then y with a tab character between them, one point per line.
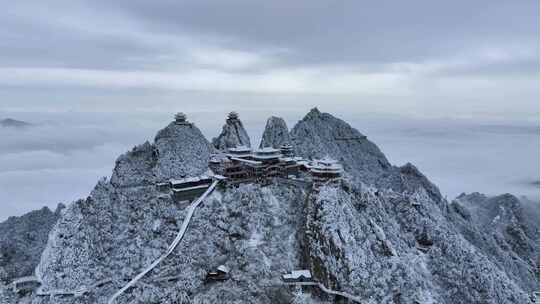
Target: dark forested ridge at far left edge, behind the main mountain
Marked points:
22	240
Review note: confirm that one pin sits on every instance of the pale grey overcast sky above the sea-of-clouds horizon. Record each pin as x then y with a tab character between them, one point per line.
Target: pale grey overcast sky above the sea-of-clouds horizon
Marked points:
414	55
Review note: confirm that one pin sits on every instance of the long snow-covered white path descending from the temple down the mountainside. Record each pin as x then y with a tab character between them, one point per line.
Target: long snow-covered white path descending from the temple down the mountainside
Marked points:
174	244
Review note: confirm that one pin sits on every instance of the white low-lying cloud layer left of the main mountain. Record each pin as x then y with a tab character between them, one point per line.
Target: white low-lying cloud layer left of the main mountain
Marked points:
55	162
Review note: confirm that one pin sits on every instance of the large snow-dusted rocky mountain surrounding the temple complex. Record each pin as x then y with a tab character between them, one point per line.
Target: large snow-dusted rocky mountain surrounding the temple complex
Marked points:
384	234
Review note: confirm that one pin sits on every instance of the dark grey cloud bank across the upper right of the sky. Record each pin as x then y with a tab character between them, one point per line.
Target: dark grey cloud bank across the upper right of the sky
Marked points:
346	30
